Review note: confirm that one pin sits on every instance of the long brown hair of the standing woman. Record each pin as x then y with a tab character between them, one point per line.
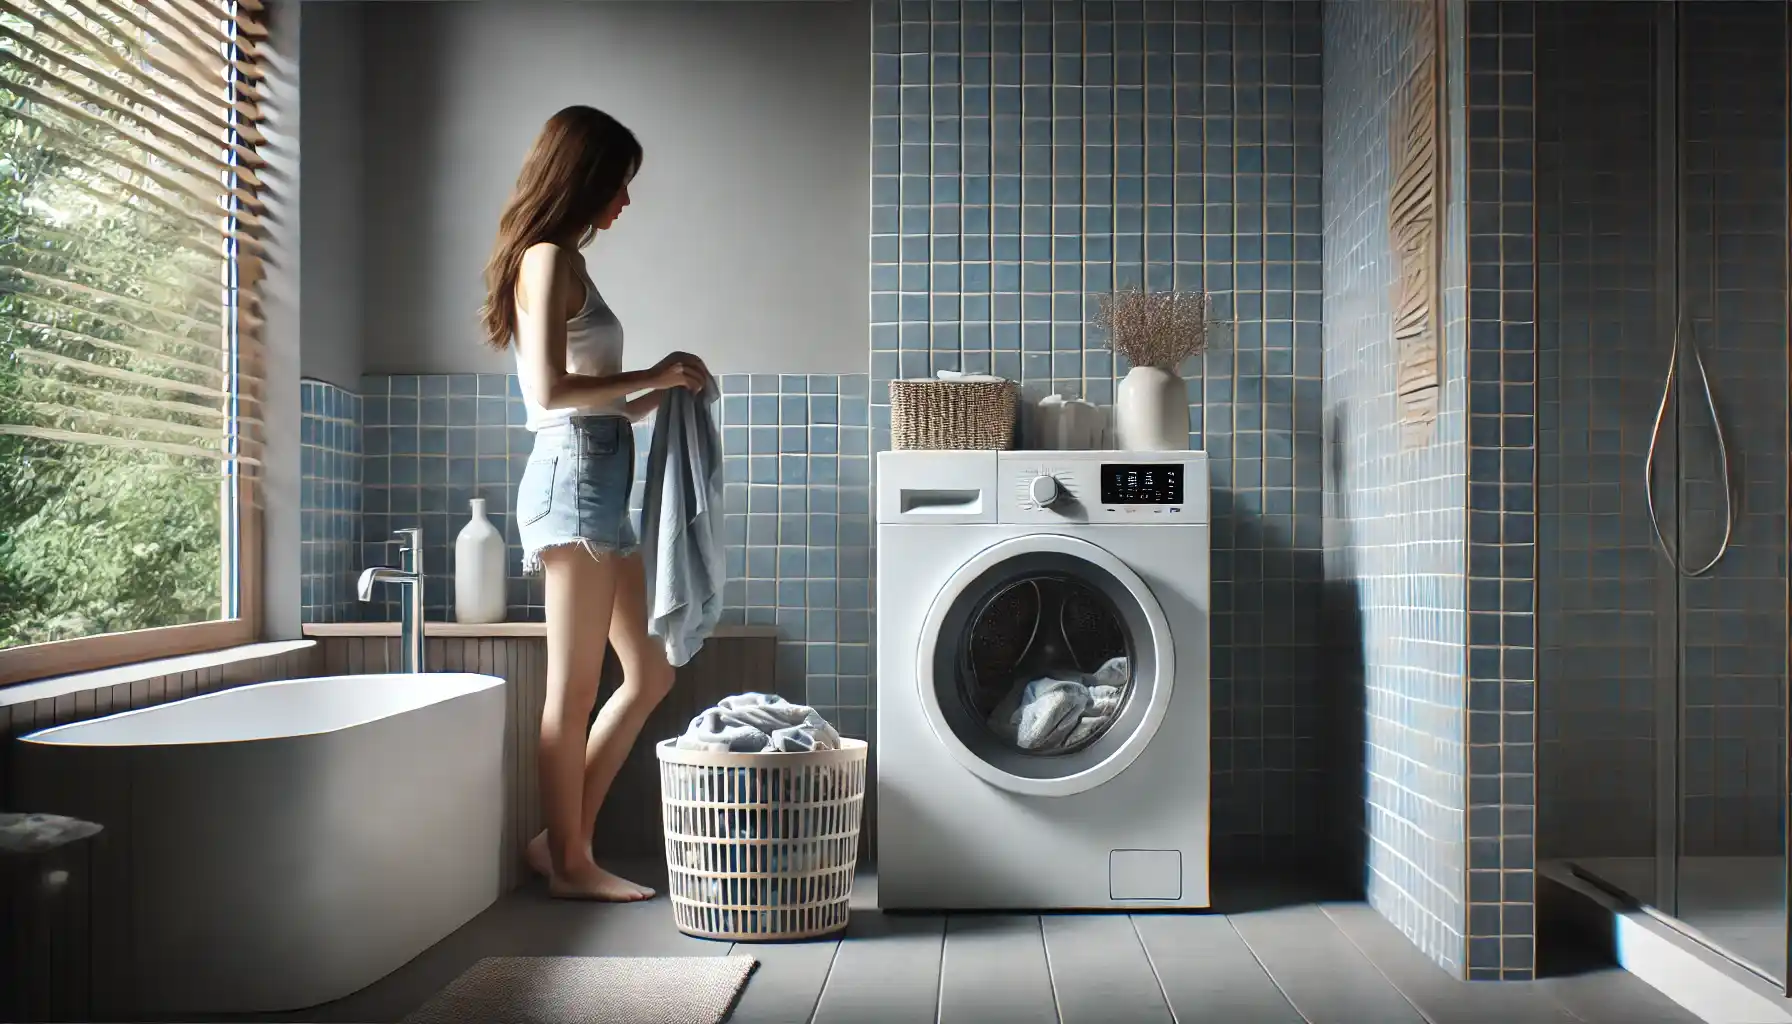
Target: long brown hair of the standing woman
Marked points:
578	166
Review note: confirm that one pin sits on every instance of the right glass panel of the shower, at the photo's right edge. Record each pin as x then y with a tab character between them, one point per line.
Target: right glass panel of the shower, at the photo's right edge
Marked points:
1732	469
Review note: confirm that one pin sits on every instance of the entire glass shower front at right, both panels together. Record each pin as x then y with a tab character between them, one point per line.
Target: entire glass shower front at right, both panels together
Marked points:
1662	578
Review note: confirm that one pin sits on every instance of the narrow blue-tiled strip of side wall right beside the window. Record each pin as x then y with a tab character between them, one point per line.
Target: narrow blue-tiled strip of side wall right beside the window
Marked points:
331	465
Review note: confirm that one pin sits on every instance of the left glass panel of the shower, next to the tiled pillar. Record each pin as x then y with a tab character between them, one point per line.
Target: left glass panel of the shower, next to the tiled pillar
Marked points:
1607	600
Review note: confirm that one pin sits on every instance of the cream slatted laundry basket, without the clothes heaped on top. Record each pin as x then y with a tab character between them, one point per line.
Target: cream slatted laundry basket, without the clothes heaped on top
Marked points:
762	847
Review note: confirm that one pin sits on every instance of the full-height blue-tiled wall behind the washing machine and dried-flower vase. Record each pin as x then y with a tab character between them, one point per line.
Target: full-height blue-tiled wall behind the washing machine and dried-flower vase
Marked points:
1028	157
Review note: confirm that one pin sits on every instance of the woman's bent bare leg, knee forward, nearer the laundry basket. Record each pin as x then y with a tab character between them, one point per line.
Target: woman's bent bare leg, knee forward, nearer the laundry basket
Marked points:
646	681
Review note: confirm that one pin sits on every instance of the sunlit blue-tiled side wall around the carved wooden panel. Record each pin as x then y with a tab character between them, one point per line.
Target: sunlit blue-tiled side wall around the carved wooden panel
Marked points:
1395	517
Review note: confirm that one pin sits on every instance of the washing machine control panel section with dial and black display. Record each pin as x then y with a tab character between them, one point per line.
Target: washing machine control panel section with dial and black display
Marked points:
1144	489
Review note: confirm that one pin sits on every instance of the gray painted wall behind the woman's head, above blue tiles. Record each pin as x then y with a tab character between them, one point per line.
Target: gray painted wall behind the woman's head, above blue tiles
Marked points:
750	232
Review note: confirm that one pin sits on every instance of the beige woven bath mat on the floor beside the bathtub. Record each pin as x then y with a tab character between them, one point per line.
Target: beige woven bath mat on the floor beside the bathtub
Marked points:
592	991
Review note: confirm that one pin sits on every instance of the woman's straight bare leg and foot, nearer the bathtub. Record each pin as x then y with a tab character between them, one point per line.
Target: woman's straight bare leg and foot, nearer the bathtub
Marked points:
582	594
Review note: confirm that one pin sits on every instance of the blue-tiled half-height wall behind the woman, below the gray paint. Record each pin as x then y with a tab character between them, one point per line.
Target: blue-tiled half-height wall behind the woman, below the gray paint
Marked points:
797	462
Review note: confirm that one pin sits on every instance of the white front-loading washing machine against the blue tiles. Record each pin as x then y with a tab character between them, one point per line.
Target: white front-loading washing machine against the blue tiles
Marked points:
1044	693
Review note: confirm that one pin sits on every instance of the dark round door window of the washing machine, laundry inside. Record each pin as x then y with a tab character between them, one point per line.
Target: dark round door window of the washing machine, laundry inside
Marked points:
1046	664
